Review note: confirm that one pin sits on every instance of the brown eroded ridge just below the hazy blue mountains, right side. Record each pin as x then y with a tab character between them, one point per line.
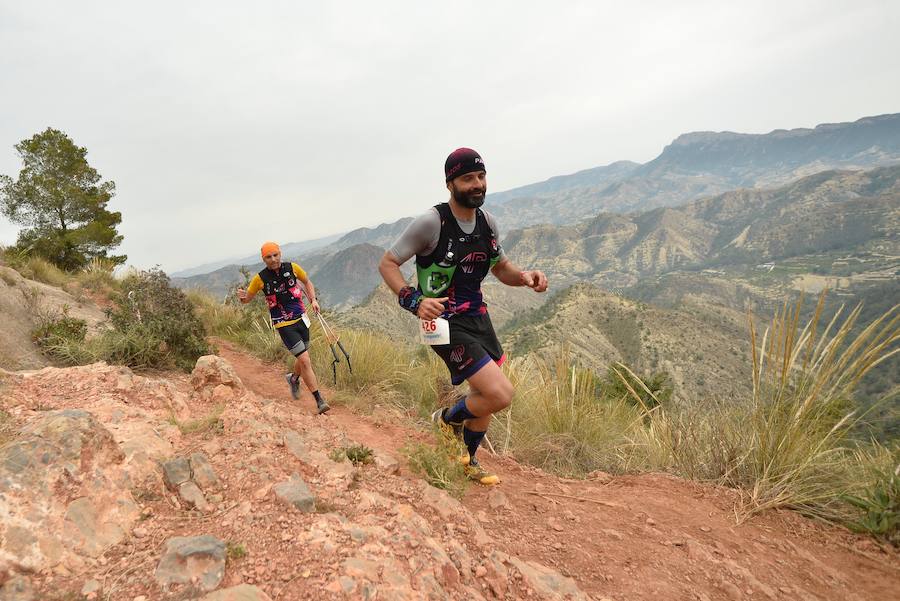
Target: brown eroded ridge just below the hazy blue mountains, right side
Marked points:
828	212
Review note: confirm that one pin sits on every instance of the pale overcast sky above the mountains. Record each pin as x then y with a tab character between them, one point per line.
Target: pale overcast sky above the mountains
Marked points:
224	124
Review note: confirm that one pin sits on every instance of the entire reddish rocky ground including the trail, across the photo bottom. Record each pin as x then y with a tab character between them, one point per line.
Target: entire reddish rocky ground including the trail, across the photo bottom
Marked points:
219	486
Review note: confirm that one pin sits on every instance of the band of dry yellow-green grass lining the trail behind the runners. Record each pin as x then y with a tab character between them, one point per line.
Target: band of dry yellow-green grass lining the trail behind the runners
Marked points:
793	444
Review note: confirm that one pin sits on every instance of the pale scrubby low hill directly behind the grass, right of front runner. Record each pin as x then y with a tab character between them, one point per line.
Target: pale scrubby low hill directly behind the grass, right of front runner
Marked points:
705	349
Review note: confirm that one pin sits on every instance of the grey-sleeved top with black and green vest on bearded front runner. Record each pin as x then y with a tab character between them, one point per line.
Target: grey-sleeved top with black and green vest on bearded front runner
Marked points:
450	261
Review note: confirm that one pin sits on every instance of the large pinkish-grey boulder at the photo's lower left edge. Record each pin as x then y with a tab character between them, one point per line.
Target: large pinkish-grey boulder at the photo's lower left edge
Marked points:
64	493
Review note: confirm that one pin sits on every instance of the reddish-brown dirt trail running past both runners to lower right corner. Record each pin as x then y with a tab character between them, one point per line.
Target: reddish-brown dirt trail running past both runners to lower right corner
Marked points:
645	537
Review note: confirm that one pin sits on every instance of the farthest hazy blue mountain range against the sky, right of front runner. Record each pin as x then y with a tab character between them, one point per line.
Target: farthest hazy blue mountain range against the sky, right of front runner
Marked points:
707	163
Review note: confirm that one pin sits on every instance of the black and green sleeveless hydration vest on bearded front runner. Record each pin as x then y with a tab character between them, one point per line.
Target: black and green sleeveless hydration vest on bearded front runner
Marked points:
459	263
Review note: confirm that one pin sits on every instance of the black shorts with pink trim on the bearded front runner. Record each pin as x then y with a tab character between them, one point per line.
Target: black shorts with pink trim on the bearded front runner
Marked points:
473	344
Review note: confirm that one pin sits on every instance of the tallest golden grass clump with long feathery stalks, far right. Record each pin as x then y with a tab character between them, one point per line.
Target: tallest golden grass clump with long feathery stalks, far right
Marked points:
797	434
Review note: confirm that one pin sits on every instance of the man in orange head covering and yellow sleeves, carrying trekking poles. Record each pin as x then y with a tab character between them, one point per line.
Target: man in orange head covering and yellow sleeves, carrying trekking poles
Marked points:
280	283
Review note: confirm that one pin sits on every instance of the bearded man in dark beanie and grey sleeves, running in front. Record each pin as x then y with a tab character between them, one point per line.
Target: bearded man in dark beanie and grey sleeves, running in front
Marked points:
455	245
